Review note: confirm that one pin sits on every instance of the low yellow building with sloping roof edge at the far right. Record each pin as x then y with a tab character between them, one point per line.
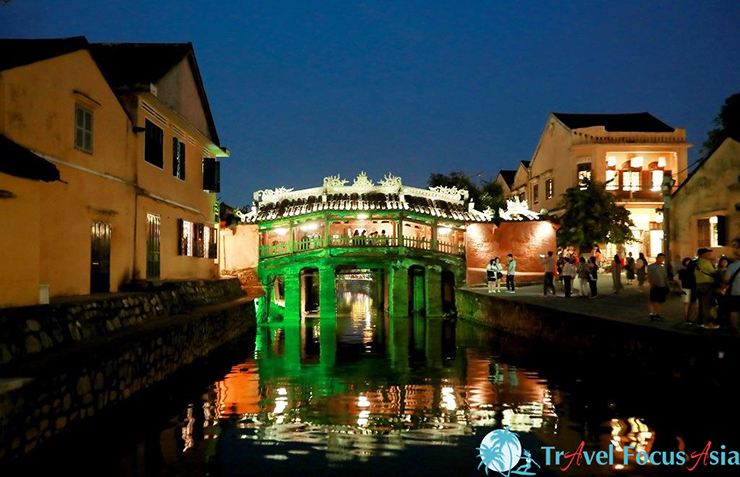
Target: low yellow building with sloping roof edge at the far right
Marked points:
705	209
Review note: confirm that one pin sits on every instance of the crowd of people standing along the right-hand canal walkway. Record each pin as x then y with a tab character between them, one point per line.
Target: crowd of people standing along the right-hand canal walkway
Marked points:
709	286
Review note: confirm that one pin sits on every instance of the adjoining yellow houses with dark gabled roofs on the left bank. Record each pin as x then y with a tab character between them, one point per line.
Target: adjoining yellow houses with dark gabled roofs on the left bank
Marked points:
133	153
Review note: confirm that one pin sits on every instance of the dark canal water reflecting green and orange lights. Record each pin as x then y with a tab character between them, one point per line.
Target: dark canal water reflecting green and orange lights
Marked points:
371	394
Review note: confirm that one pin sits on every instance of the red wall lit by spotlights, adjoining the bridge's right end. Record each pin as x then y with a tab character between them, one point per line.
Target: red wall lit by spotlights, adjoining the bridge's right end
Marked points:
526	240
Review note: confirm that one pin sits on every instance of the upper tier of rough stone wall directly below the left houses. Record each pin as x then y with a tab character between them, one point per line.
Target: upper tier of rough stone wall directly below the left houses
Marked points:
25	331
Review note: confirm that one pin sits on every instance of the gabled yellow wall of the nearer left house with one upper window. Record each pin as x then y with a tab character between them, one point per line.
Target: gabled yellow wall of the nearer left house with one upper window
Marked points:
39	104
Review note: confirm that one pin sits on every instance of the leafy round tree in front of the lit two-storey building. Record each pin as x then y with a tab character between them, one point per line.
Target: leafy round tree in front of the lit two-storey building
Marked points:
592	216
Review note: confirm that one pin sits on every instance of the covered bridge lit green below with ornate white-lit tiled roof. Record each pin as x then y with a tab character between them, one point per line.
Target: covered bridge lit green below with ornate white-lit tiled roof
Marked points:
403	245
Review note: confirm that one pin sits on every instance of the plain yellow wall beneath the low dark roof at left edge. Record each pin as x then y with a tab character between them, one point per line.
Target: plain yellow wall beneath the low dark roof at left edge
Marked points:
19	241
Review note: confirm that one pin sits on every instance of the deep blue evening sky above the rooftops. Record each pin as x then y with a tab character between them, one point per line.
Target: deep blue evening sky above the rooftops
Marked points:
302	90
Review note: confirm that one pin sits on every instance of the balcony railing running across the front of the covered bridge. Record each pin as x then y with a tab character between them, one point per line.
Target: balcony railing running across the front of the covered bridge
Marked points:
362	242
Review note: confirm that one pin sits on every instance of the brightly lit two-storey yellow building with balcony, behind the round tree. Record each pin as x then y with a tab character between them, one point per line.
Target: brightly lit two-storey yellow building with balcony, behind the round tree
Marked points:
630	152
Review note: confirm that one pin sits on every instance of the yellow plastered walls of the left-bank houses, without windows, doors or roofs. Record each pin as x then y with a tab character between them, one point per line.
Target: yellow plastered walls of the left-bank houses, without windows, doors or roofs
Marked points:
37	111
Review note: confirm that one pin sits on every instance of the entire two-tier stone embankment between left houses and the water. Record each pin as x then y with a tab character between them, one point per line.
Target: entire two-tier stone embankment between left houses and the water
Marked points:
66	362
